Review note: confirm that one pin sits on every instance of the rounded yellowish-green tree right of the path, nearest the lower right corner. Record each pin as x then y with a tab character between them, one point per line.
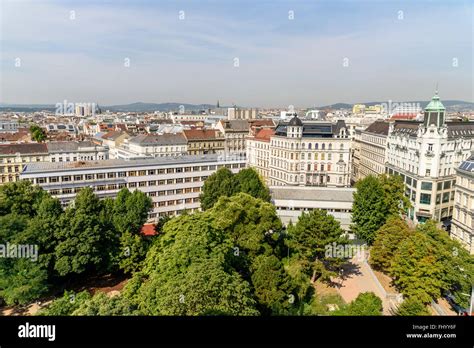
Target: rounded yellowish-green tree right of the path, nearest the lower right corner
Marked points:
417	268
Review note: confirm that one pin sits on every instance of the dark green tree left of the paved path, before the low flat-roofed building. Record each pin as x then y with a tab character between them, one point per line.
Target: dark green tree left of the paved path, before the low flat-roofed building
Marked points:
309	239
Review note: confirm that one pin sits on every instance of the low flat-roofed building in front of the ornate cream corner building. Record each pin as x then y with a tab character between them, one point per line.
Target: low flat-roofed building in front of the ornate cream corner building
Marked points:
290	202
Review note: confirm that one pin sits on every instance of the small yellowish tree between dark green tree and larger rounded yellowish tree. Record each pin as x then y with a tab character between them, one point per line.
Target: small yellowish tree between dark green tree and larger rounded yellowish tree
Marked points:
386	243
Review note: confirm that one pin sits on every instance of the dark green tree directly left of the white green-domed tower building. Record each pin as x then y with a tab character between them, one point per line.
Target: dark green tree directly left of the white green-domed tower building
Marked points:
376	199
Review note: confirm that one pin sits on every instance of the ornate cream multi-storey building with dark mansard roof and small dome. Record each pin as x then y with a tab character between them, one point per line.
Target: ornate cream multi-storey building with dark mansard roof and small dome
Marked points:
310	153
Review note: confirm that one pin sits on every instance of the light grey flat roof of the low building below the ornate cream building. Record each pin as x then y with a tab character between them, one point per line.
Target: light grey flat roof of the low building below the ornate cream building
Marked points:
309	193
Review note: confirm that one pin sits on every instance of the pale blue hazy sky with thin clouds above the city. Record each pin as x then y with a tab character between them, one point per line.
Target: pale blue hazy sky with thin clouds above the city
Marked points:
262	53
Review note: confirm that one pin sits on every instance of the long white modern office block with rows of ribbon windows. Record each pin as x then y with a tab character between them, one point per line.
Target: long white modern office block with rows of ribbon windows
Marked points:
173	184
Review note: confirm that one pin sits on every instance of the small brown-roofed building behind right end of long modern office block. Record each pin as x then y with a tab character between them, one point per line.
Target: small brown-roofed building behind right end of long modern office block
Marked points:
204	141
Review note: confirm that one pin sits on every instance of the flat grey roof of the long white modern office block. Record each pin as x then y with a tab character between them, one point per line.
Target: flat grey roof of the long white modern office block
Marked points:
40	167
